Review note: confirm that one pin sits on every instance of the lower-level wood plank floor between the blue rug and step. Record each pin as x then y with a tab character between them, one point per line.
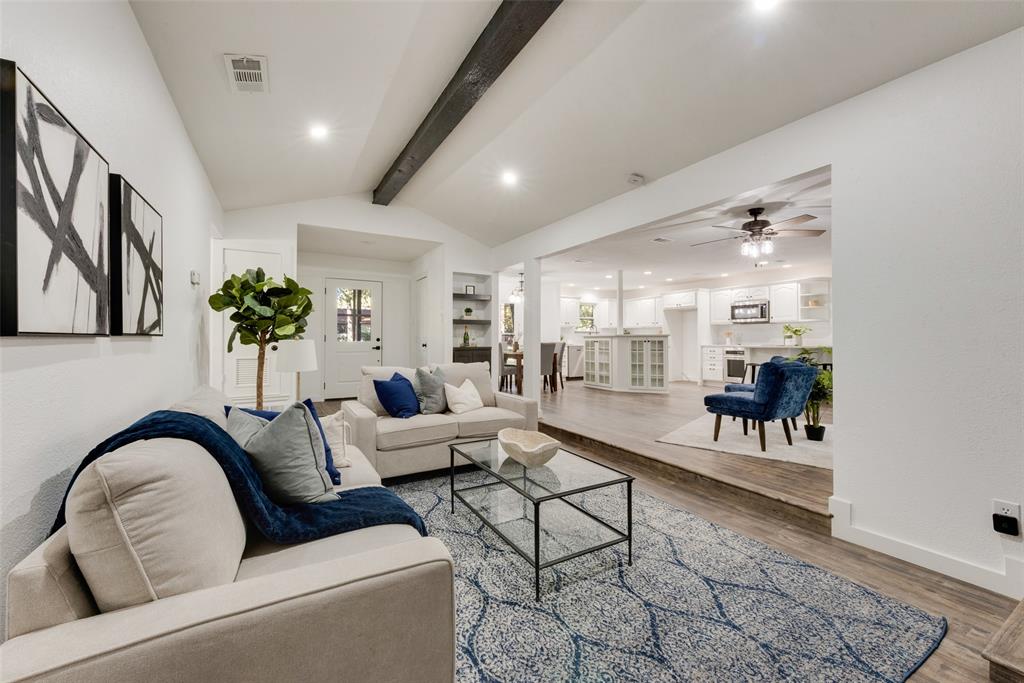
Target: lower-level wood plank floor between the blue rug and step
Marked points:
974	615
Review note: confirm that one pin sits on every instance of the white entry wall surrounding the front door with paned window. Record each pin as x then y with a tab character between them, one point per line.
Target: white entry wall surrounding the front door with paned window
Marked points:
396	312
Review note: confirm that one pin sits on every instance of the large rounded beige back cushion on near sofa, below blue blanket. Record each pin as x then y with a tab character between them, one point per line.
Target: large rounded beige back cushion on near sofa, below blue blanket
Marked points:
153	520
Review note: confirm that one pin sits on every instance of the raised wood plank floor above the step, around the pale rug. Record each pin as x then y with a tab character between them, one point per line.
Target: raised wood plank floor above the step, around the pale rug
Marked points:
632	422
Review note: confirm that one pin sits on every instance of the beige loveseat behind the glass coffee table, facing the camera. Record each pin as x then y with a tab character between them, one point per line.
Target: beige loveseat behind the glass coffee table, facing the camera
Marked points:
420	444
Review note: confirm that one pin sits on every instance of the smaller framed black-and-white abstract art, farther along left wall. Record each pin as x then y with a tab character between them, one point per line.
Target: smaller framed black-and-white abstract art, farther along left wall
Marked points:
137	263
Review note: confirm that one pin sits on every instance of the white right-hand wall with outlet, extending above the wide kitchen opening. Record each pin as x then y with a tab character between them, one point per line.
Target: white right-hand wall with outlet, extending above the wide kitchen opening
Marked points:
928	297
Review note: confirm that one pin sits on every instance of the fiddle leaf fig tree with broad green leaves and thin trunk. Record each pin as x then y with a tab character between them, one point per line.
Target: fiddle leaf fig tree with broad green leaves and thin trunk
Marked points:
266	312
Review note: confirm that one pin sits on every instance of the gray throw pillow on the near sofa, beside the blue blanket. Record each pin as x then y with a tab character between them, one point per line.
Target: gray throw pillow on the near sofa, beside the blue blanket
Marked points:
288	454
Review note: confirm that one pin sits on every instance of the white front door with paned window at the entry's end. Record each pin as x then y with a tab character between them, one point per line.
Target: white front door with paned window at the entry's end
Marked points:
353	326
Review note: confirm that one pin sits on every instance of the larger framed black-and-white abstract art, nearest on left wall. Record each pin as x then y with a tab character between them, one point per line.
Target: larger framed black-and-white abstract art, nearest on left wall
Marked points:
55	276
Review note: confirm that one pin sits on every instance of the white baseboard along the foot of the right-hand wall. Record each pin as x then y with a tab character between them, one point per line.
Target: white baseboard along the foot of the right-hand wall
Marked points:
1010	582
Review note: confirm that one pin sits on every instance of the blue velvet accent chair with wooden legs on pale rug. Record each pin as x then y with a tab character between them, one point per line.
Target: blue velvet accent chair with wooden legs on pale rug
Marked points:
780	394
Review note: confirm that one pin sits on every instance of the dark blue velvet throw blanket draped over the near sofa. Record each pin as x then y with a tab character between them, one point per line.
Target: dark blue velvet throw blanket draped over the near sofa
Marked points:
355	509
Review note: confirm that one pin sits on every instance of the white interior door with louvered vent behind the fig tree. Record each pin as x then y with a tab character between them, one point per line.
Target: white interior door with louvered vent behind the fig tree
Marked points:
240	365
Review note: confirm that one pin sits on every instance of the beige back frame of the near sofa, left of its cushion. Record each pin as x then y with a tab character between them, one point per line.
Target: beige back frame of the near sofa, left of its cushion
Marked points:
48	588
